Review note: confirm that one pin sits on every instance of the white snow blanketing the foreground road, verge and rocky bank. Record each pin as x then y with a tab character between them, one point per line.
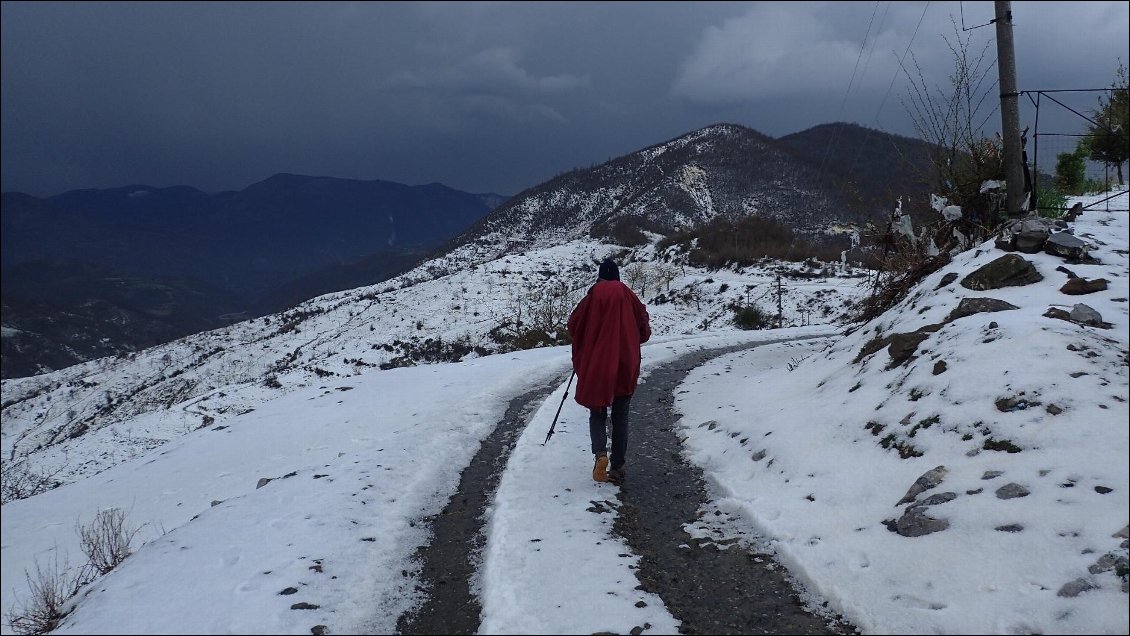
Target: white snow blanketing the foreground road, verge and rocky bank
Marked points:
787	434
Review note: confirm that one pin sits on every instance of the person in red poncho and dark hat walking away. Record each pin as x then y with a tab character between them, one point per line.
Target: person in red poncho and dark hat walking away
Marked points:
607	328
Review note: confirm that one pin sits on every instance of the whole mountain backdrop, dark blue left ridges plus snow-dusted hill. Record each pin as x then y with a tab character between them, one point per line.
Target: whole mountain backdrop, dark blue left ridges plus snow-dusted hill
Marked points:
95	273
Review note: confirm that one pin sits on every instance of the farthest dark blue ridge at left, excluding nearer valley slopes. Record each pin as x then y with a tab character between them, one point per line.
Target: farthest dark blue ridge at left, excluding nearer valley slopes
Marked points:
245	242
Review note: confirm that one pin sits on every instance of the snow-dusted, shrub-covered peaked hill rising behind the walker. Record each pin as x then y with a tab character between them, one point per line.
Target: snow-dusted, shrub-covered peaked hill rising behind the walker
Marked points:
724	170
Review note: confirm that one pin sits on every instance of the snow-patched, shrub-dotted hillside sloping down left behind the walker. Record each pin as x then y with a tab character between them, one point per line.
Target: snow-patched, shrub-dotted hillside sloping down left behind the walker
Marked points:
444	311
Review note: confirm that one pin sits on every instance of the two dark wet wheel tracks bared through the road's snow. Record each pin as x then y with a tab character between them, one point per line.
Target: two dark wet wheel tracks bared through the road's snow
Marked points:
710	590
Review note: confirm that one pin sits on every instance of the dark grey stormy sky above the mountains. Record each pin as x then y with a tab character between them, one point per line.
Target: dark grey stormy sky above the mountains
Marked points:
481	97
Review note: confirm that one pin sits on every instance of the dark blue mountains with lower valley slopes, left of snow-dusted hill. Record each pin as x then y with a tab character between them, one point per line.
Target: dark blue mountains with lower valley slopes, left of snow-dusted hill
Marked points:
69	260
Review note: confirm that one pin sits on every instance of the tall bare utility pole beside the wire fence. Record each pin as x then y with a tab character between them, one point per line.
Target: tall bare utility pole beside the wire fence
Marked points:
1010	111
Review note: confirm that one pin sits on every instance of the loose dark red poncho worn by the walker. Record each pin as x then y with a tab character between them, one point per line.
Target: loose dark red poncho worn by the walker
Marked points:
607	327
